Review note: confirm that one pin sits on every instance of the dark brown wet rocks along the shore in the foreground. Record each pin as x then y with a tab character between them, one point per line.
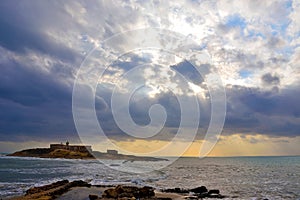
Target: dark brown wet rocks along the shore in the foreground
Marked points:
80	190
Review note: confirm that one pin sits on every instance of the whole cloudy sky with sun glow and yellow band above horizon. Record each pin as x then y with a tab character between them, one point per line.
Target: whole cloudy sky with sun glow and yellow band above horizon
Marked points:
152	74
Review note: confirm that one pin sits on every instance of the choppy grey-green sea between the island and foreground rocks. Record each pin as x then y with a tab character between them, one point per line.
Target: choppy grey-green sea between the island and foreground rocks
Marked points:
235	177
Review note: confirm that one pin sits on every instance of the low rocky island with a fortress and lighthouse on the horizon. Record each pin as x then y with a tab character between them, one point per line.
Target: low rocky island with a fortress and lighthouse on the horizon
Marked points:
68	151
